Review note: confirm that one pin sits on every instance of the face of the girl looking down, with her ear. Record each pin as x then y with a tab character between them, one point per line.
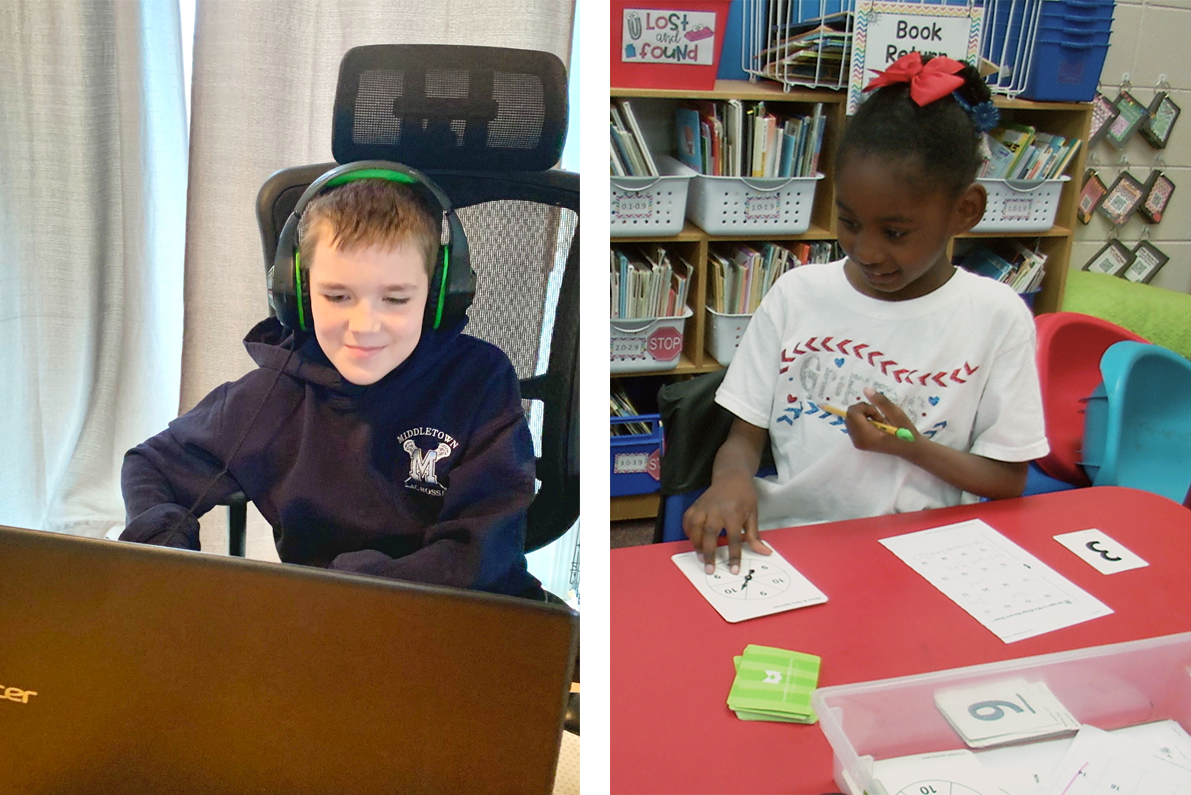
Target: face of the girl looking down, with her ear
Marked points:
895	227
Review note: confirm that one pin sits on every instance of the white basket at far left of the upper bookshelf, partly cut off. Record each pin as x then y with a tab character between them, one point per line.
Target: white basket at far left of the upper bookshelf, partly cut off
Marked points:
653	206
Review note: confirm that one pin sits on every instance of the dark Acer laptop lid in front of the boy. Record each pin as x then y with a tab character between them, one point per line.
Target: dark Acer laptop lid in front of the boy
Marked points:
135	669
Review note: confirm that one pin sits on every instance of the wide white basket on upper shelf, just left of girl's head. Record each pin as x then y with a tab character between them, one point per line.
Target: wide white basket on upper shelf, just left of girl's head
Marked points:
735	205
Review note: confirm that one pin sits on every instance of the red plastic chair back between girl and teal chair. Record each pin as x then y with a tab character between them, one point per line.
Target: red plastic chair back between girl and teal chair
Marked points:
1070	347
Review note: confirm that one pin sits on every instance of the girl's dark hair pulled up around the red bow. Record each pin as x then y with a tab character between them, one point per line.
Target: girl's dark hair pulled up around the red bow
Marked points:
941	137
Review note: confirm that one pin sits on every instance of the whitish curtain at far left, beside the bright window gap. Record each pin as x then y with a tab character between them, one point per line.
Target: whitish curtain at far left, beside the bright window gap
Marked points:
92	222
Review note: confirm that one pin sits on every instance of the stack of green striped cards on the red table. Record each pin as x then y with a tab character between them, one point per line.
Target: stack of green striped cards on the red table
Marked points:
775	685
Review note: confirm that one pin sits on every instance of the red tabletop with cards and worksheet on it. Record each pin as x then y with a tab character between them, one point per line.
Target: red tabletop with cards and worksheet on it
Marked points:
672	654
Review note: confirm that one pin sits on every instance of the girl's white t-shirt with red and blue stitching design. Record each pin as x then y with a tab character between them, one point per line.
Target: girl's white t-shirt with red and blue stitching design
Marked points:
958	361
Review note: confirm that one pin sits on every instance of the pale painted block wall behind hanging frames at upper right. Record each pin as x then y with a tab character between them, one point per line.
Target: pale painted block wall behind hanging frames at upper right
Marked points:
1150	40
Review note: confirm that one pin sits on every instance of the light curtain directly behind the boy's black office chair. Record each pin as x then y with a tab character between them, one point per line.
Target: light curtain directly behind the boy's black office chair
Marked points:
264	90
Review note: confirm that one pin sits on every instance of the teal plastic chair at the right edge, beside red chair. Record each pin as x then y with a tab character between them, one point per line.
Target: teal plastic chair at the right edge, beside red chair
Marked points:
1138	425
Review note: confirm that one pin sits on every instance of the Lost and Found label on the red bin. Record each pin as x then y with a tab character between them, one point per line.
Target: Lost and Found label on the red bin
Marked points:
669	36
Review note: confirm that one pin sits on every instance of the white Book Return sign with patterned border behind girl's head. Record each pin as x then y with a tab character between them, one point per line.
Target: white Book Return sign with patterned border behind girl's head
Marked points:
886	32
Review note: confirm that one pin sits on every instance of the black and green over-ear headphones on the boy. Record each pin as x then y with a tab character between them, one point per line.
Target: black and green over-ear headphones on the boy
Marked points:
452	284
